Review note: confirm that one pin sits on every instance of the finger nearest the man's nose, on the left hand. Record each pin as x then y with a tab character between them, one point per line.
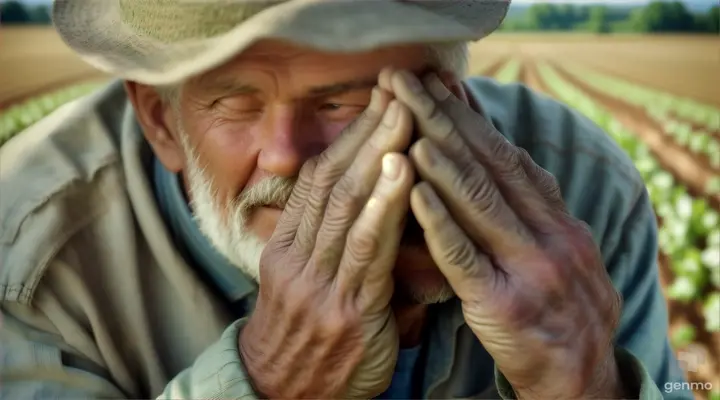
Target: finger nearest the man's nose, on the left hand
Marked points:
331	164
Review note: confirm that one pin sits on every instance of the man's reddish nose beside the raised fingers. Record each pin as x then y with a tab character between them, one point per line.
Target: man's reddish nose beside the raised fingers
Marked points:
288	140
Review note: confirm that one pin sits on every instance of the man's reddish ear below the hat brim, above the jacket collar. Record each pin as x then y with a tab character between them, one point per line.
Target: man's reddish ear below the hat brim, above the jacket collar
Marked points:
157	120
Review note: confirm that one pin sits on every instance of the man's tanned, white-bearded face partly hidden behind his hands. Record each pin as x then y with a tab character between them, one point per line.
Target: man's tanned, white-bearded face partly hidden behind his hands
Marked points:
247	127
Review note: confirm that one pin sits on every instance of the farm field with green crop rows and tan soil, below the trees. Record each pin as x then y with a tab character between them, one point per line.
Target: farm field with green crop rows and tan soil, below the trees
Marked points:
657	97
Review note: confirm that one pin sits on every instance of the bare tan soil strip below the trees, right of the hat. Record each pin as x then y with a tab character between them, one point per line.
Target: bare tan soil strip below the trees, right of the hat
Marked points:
683	65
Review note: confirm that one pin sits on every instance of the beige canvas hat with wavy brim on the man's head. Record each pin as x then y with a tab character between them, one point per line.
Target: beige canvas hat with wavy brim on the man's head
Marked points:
164	41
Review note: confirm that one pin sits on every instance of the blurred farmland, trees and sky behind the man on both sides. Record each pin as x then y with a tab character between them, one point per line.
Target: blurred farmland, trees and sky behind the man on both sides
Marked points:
648	72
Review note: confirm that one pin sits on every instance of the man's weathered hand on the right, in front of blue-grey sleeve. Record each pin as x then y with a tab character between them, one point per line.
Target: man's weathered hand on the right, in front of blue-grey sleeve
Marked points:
530	277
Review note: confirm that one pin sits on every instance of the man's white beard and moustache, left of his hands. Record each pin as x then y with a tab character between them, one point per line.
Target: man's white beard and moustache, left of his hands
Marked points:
225	226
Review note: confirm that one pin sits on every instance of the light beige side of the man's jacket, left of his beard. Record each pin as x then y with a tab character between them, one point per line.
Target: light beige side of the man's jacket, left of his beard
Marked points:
96	300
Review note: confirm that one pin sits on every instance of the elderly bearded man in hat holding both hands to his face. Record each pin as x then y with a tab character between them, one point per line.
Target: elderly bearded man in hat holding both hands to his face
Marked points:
310	199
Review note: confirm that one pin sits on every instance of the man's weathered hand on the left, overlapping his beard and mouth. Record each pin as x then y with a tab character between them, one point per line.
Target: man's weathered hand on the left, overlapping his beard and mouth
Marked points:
322	326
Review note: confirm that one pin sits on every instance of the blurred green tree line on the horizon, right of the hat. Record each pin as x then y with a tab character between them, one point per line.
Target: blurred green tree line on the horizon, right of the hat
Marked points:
655	17
